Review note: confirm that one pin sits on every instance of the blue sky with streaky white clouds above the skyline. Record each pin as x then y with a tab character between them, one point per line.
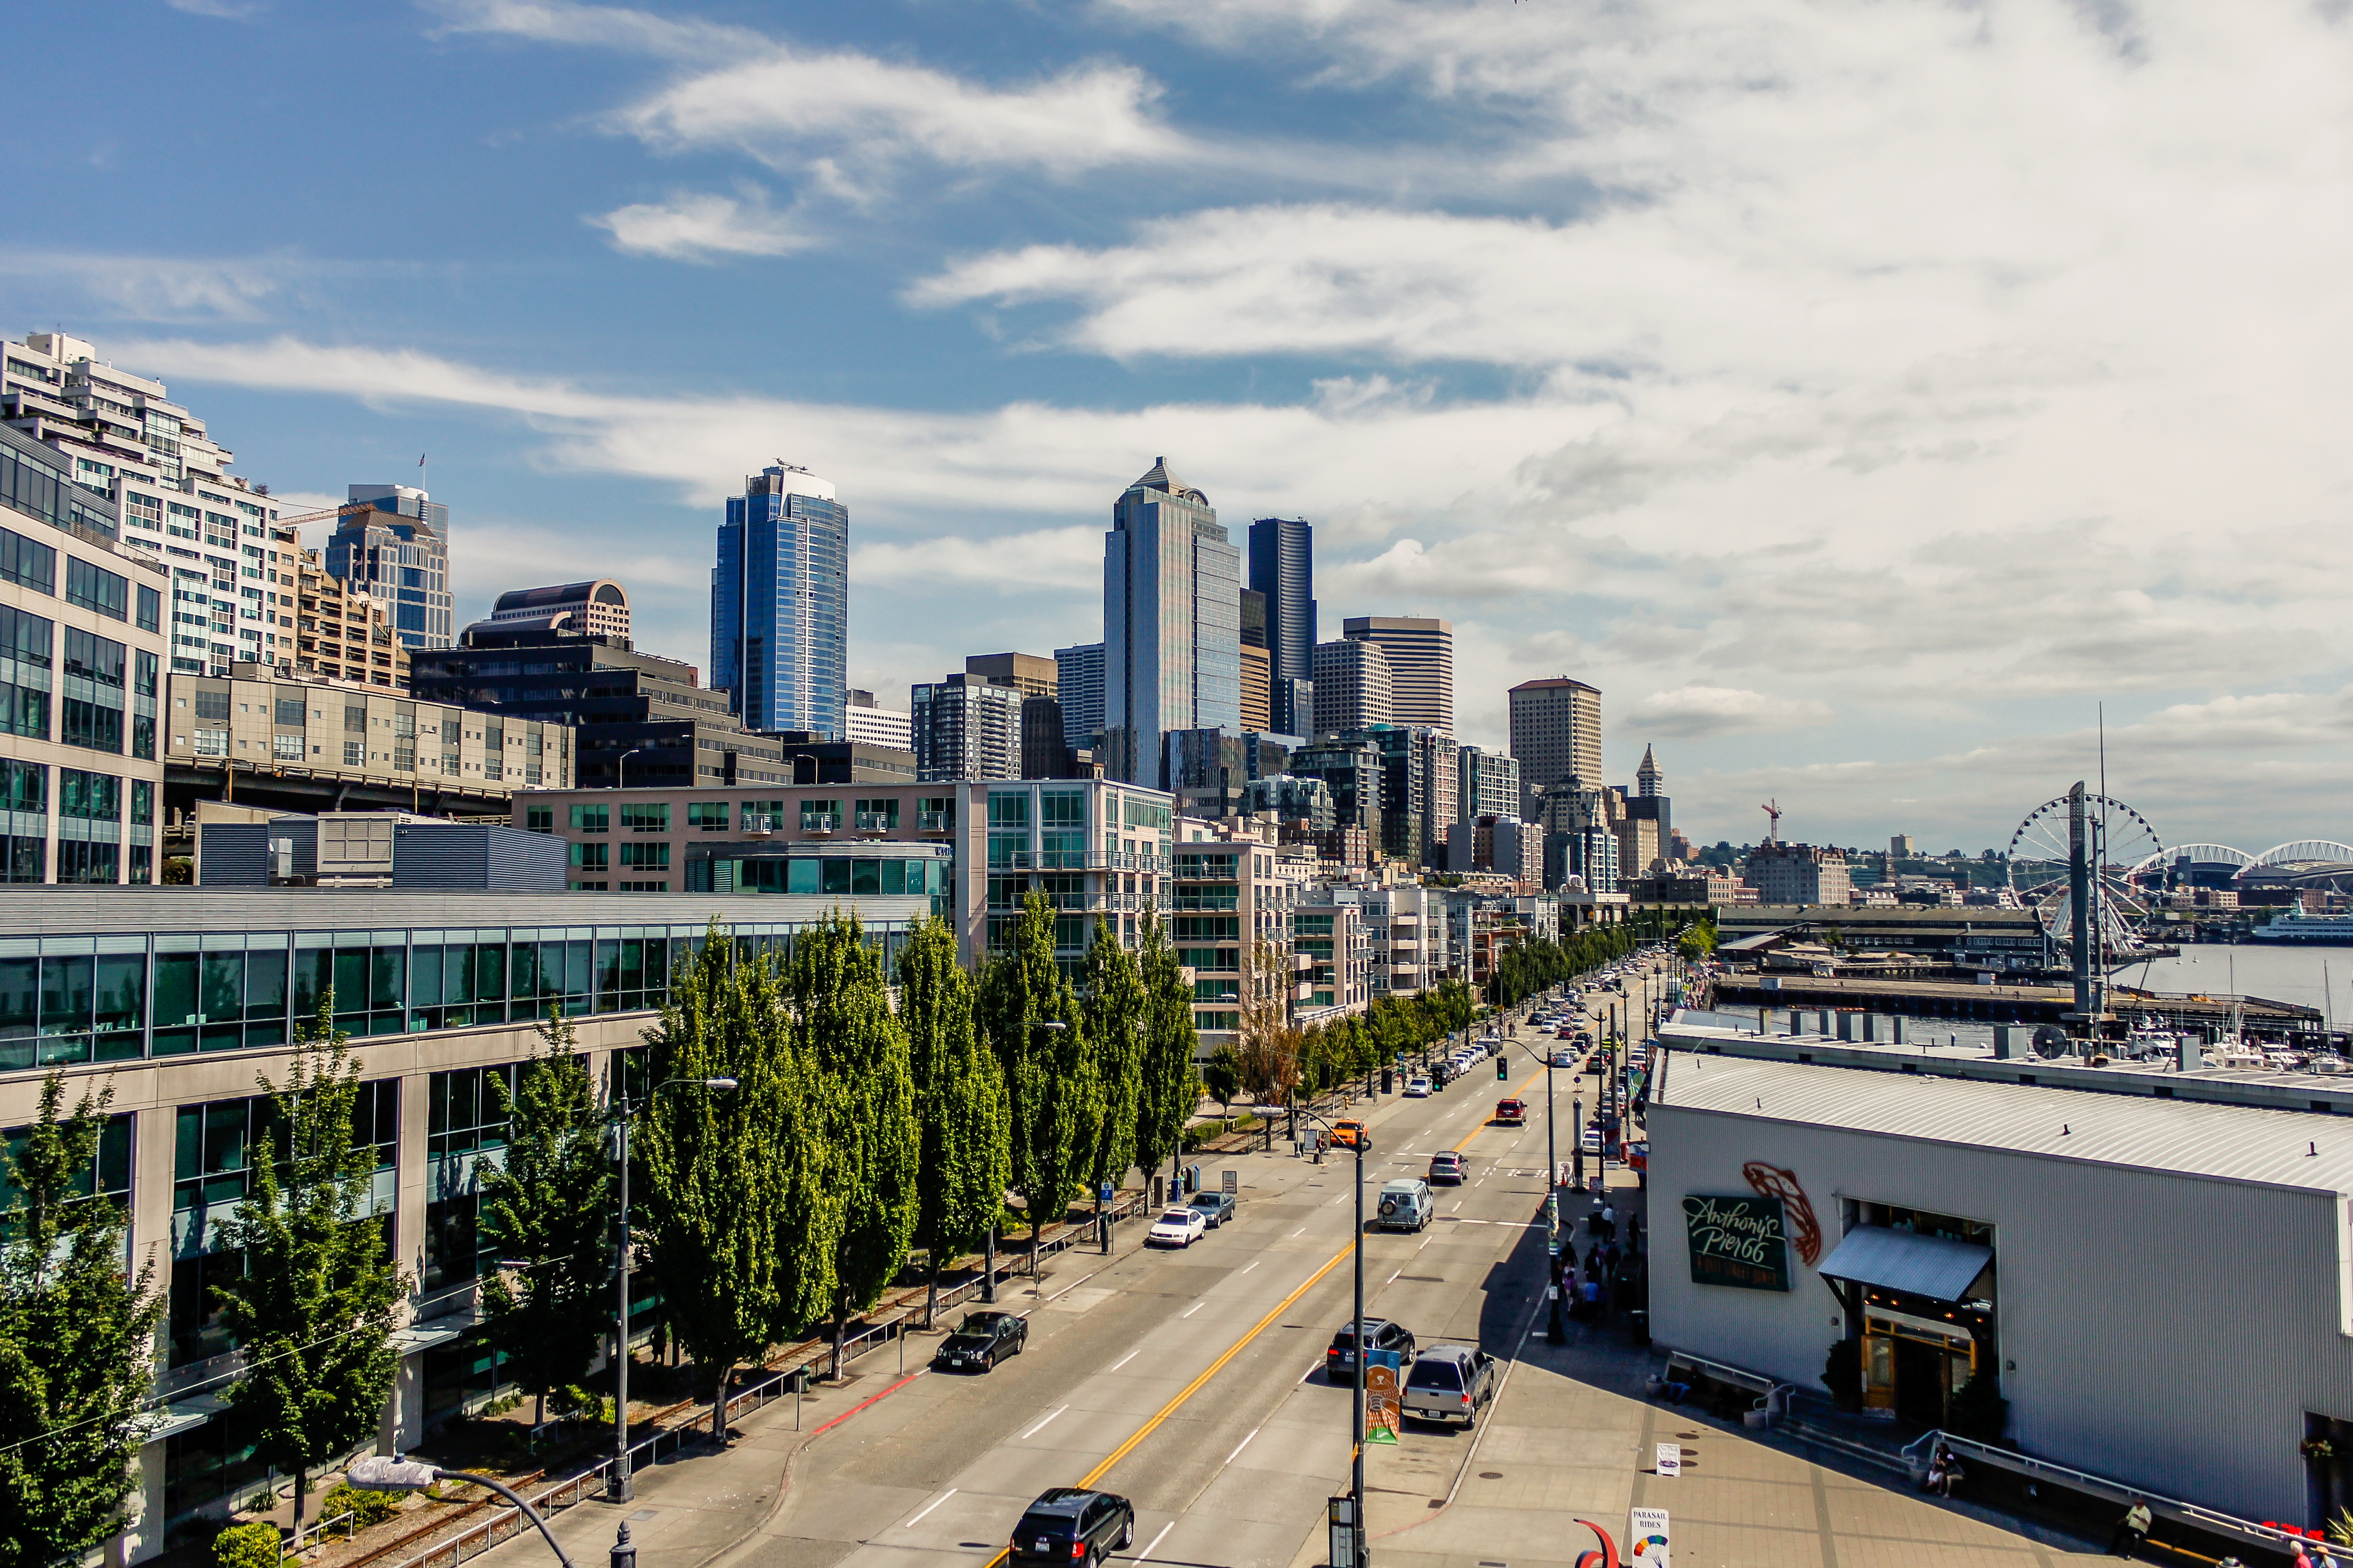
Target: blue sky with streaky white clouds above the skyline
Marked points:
1858	394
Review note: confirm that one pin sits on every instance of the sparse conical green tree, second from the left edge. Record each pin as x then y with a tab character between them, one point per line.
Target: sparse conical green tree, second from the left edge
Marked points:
314	1308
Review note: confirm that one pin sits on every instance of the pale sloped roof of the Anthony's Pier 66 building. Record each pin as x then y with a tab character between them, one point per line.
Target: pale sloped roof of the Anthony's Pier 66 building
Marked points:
2241	1144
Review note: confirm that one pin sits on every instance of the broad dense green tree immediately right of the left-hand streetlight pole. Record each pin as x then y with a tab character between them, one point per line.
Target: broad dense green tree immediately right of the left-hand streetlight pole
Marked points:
738	1209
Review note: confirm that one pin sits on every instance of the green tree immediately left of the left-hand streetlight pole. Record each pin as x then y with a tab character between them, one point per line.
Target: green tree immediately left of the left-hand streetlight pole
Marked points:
552	1209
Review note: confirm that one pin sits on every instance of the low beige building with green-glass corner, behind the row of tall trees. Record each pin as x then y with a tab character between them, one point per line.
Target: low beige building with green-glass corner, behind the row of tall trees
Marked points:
973	850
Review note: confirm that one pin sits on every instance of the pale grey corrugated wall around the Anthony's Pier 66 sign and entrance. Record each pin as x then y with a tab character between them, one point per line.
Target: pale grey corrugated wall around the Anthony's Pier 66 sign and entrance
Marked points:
2166	1329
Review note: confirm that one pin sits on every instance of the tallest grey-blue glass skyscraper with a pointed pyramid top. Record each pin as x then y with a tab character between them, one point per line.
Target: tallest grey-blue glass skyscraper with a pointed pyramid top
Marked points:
1173	624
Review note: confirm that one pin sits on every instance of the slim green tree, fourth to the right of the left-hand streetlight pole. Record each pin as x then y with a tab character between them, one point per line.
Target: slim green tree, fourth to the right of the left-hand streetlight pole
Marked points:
1051	1085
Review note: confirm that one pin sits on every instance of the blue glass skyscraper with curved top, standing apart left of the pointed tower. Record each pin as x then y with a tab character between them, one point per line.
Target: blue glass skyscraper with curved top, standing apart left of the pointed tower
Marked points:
780	603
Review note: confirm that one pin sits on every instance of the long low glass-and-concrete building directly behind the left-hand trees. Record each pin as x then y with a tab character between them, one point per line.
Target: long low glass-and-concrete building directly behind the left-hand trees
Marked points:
178	1003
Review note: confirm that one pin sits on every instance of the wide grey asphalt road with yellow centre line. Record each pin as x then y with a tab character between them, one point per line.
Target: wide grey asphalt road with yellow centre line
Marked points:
1194	1381
